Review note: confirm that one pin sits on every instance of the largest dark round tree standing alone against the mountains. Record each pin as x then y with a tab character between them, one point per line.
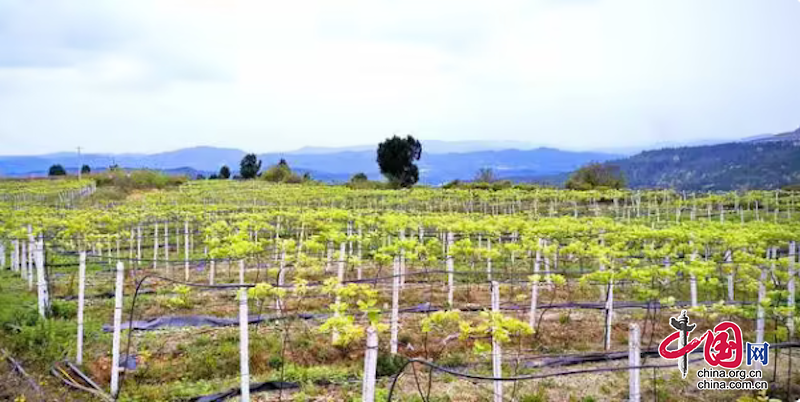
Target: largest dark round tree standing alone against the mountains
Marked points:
396	158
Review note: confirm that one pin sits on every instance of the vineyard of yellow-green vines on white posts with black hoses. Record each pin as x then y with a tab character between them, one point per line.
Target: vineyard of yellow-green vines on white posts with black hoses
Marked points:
215	290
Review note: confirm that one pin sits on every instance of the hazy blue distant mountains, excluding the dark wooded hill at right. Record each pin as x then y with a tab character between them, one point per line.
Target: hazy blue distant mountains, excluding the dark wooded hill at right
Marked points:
331	165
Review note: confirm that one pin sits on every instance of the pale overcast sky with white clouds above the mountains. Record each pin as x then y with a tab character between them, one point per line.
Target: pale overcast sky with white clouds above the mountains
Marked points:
261	75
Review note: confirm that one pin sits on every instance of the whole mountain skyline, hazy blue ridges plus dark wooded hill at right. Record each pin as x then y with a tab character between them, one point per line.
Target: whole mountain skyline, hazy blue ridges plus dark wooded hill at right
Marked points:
765	161
